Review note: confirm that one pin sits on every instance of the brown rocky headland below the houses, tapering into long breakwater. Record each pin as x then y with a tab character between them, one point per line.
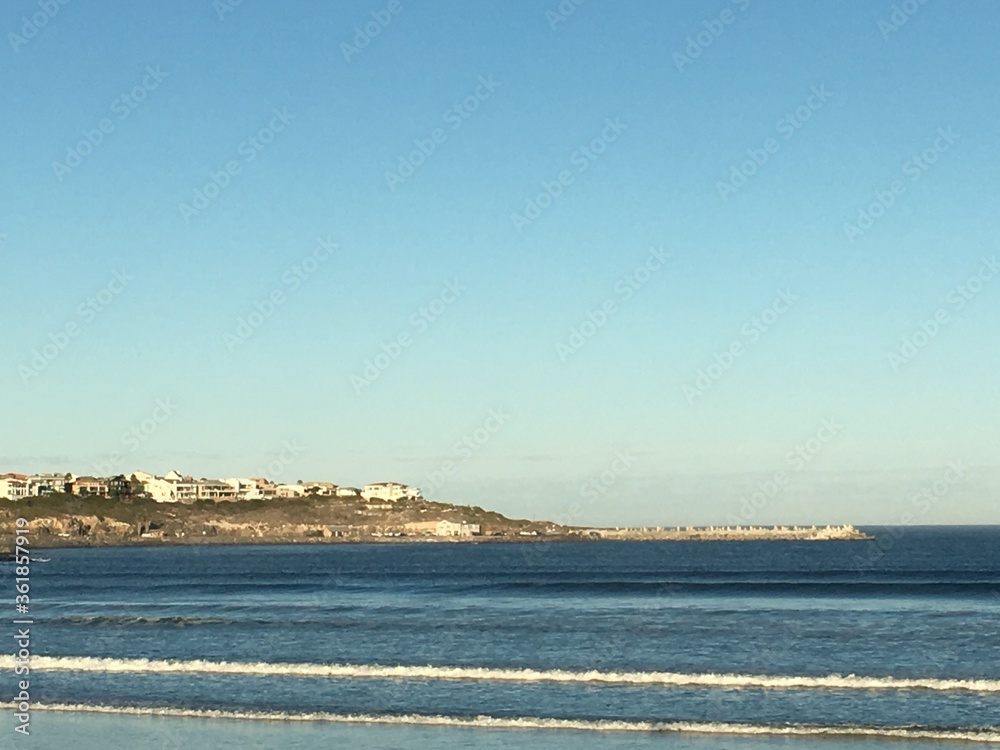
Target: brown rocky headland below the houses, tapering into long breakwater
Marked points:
65	520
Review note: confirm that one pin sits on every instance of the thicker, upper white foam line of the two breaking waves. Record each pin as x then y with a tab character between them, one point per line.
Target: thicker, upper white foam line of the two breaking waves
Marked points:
483	674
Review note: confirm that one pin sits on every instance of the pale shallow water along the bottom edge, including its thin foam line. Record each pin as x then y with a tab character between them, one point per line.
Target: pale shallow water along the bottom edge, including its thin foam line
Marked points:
87	725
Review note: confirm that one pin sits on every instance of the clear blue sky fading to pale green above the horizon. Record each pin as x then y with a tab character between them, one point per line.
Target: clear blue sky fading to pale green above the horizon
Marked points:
515	249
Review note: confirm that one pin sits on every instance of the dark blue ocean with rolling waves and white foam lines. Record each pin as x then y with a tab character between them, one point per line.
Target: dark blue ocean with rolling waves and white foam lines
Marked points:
893	642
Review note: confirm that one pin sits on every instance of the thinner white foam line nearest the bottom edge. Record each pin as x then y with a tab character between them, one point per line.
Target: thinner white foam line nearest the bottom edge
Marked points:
528	722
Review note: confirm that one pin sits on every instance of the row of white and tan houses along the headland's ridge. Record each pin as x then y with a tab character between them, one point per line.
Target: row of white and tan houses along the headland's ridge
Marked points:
174	487
